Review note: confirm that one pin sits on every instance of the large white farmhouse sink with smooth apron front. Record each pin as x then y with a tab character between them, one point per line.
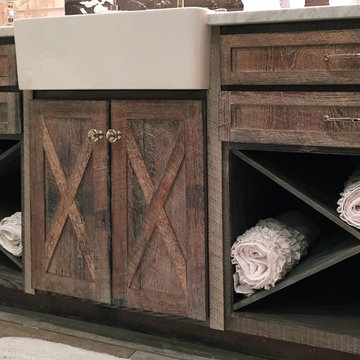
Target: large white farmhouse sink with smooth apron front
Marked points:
151	49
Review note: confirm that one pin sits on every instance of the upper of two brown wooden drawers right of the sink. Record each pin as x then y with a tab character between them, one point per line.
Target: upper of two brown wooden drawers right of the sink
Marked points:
291	58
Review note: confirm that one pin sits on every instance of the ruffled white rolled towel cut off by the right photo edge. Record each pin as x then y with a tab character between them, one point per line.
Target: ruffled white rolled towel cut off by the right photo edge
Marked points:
349	202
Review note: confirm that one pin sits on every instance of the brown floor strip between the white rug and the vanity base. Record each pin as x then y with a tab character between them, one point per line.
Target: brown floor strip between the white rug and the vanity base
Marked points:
126	344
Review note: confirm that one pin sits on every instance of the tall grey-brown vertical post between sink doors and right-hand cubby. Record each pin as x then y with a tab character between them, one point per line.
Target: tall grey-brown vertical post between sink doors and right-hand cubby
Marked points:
214	174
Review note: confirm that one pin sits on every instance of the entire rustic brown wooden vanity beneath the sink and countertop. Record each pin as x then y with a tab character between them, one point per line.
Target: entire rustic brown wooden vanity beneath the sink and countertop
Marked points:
132	199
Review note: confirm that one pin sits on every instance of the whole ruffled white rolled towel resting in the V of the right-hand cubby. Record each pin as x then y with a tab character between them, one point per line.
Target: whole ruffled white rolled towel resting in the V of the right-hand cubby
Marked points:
265	253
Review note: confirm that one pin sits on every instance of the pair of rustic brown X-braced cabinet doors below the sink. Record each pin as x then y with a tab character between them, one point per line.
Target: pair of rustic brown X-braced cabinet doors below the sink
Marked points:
156	203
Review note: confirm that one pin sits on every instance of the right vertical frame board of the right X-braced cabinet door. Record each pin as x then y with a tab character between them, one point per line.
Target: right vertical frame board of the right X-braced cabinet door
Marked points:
195	217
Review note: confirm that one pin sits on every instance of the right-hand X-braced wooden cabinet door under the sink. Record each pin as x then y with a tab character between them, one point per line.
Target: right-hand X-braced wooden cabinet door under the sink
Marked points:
157	173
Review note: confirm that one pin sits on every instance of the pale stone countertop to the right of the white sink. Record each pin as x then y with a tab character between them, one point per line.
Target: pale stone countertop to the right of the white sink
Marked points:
284	15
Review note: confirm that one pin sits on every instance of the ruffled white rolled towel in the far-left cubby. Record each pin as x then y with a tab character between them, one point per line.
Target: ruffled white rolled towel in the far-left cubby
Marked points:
10	234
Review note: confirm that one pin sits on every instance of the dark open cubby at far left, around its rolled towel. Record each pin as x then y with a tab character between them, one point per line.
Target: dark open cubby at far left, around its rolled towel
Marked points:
10	202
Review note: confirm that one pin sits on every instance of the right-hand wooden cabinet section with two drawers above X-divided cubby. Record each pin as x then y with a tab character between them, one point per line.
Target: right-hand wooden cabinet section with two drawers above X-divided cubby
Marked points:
289	123
